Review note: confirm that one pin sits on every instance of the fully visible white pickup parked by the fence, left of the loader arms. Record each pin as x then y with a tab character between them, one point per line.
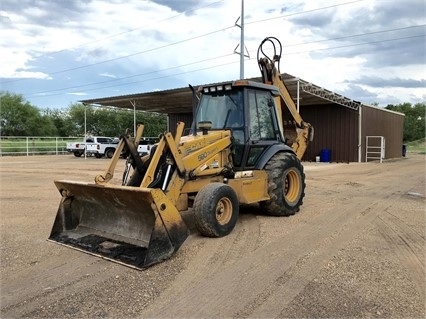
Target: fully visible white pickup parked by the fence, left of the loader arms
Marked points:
94	145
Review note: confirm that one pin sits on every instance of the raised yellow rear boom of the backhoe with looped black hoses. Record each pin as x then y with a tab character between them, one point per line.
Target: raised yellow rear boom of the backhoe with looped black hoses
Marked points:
269	68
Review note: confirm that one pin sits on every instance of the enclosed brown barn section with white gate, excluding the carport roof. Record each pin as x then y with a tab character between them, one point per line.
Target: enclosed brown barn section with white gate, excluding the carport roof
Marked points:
344	131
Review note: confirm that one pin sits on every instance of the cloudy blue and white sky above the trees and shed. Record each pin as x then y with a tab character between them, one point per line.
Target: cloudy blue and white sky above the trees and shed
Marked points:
57	52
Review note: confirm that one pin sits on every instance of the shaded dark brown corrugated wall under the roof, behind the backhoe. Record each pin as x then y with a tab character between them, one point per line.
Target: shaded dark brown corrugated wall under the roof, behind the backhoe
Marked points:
336	129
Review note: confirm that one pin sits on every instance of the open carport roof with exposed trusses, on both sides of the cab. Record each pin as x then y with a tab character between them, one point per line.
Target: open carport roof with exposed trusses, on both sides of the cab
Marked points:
180	100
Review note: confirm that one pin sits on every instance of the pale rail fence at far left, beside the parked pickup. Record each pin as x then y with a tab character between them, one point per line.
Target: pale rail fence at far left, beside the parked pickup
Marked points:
34	145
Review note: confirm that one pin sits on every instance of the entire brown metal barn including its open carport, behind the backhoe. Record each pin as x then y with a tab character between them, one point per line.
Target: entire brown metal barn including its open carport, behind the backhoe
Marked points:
345	130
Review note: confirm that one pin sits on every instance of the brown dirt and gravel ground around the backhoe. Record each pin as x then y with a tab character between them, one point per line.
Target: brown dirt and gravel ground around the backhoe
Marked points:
356	249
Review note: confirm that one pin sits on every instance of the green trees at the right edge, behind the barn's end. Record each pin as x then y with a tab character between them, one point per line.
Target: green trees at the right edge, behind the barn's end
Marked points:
414	124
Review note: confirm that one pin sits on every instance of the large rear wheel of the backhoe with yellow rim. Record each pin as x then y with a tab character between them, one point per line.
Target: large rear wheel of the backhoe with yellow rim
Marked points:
286	185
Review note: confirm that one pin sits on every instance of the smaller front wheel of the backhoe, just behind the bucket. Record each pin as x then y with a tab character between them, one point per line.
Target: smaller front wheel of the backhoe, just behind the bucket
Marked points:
216	210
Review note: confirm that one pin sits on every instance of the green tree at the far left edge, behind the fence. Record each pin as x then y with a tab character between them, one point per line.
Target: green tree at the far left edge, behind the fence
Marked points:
19	118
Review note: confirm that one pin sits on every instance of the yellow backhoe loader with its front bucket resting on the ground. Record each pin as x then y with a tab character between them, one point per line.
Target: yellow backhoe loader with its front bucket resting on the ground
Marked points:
245	147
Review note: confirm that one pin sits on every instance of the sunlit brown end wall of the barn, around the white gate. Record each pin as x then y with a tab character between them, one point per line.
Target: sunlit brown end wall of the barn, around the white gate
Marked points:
380	122
